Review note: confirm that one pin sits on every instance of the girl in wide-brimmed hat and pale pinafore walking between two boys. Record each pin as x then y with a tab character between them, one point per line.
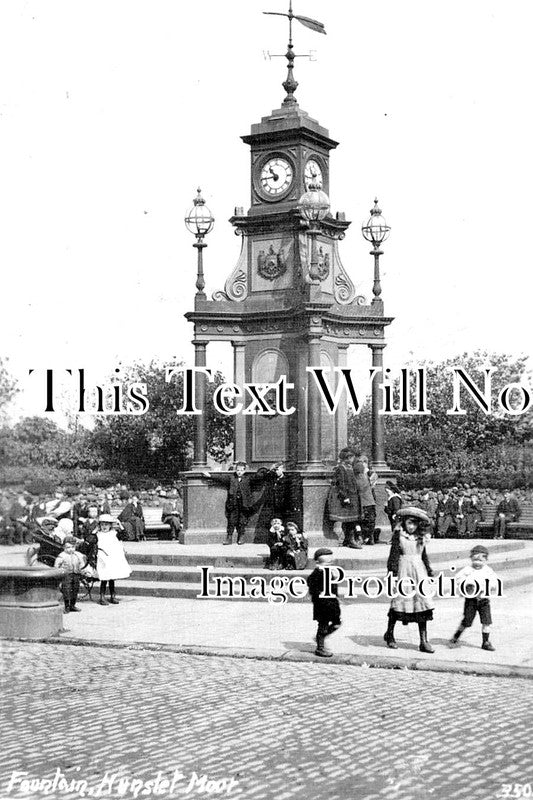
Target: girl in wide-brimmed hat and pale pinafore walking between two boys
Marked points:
408	559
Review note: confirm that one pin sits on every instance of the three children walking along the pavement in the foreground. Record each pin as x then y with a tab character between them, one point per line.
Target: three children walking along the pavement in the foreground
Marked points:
408	559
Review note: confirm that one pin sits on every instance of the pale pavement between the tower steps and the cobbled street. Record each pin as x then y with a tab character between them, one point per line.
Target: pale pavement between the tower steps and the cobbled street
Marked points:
272	630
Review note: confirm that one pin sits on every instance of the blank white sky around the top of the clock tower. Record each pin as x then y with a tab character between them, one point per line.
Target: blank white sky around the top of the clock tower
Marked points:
112	113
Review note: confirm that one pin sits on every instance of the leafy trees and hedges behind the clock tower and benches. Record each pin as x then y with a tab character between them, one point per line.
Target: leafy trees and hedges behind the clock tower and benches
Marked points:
494	450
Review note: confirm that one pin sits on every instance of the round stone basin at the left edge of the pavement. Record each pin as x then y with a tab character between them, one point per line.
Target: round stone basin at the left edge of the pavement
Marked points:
29	604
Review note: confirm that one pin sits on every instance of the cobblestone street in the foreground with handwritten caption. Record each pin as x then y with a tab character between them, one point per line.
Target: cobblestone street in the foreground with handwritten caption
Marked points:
255	729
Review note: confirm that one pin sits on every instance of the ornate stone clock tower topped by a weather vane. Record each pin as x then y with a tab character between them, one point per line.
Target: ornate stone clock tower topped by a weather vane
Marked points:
288	304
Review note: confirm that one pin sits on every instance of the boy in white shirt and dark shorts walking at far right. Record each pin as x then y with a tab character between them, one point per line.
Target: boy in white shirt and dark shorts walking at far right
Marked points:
478	572
